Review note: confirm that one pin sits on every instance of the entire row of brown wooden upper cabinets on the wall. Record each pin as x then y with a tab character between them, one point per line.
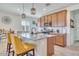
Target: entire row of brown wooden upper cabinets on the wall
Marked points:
57	19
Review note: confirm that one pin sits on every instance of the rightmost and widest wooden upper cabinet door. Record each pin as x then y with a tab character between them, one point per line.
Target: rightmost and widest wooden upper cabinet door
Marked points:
61	18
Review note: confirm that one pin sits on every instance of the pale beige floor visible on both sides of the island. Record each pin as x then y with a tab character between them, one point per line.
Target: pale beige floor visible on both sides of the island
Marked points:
59	51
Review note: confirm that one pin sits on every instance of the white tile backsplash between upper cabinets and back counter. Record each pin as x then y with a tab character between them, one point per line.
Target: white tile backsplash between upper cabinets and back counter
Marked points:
53	29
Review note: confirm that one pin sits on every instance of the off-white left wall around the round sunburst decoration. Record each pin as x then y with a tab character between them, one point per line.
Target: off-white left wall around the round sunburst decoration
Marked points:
14	25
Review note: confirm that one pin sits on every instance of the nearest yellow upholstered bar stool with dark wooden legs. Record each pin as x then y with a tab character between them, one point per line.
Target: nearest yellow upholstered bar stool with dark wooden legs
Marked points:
21	48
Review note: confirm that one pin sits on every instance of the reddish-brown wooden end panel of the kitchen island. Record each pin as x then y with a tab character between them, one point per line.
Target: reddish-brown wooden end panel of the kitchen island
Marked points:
50	46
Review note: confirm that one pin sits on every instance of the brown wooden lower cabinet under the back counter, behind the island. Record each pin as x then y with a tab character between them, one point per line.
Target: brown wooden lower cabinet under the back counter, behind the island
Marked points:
60	40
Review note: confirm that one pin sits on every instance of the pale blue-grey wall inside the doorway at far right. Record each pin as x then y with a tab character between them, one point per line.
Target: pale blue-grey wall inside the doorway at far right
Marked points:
76	21
